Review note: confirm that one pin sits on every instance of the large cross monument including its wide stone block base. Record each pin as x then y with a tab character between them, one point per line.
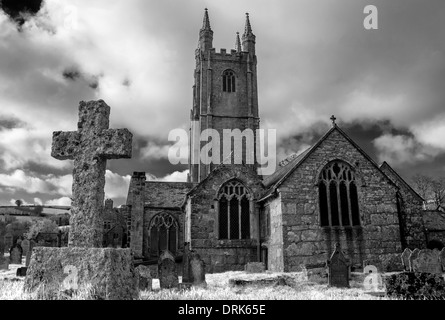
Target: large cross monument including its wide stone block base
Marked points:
110	271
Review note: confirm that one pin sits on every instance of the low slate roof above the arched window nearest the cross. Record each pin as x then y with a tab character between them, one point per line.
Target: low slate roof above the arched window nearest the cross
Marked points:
161	194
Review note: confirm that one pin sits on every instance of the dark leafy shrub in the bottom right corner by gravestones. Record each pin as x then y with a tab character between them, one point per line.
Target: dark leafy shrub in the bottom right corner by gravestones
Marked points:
415	286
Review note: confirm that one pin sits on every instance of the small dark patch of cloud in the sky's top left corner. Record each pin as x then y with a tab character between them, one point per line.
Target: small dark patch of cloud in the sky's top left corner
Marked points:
20	10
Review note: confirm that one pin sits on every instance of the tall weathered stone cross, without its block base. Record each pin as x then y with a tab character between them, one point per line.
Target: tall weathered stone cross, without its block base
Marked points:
90	147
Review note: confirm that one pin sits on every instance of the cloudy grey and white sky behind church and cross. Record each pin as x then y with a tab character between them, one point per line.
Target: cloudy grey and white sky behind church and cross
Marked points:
315	59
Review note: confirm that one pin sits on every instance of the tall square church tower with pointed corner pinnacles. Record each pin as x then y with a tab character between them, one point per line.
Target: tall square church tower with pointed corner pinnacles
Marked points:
224	97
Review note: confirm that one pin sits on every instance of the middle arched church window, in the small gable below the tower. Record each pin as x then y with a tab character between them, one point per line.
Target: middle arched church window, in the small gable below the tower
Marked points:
234	211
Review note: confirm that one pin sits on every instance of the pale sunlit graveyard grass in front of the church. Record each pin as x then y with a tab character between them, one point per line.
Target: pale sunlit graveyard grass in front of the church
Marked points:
217	289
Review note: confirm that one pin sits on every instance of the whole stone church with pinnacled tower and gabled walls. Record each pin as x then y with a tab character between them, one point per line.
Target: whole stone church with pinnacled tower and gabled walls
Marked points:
230	215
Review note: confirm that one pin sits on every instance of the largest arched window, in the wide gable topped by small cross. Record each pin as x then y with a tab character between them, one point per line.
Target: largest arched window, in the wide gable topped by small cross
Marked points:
338	195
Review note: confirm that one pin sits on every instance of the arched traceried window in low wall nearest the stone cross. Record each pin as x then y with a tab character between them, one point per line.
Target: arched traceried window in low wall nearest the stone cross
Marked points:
163	230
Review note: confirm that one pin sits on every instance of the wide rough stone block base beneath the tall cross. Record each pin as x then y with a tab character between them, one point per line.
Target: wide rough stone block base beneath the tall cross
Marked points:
109	271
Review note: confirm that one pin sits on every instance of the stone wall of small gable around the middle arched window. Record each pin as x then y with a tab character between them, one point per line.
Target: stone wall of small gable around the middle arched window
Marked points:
222	255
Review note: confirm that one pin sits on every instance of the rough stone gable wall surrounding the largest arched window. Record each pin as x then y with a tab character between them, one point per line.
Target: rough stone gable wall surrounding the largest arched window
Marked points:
306	242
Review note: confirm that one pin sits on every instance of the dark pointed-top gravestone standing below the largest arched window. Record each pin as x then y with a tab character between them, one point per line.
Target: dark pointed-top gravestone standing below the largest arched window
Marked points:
338	266
